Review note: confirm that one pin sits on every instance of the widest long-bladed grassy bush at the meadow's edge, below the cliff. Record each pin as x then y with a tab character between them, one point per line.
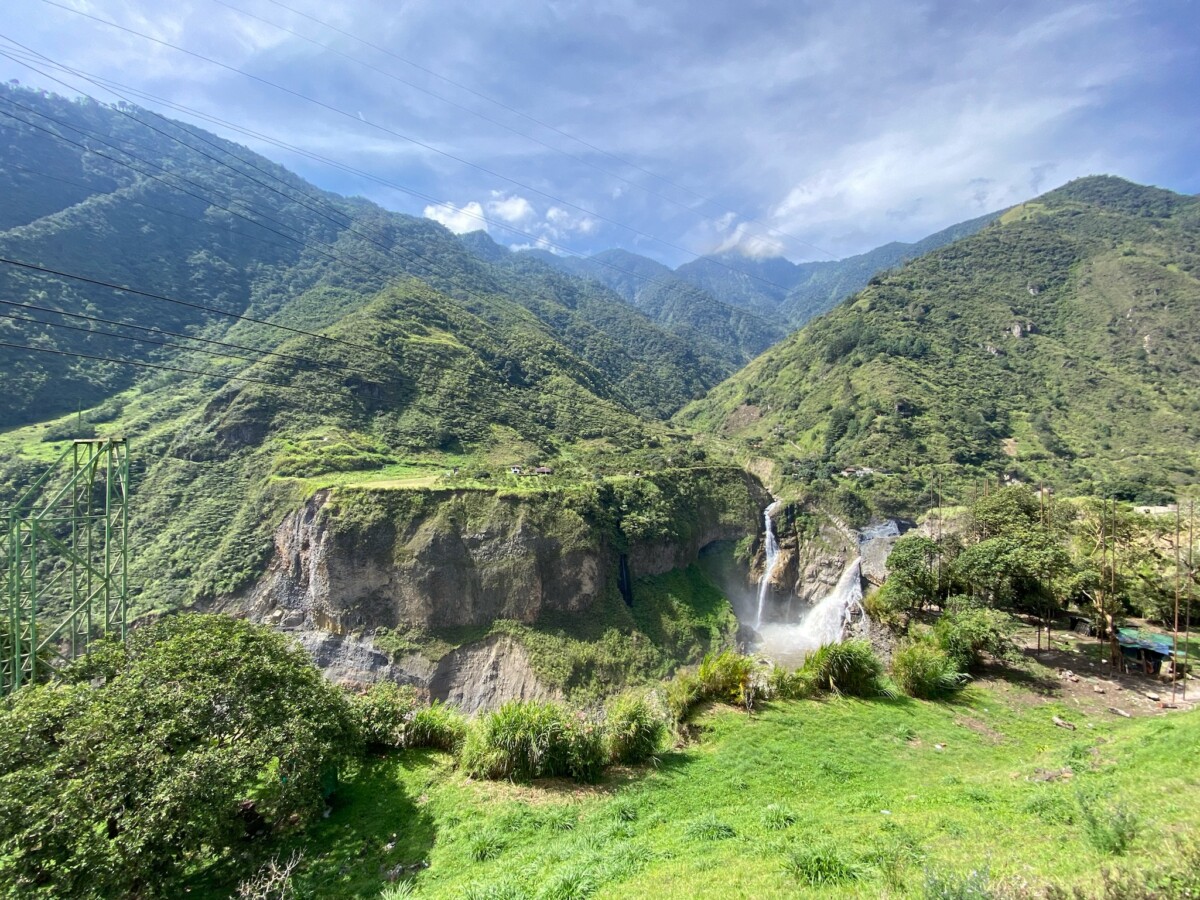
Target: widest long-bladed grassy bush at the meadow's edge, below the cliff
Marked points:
529	740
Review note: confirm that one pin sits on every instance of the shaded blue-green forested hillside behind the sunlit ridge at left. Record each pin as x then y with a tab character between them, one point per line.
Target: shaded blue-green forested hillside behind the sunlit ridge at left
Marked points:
123	196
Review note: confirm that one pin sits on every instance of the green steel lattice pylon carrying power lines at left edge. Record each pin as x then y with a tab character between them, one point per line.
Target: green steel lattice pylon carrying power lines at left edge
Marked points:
64	565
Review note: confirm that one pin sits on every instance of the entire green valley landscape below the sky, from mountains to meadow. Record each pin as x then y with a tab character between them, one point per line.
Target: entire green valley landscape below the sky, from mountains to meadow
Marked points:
463	569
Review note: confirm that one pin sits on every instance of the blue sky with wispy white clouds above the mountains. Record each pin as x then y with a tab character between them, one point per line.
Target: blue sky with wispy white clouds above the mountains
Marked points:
811	130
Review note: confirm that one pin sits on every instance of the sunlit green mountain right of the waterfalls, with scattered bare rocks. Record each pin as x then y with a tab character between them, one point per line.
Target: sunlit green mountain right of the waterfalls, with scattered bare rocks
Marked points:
1058	344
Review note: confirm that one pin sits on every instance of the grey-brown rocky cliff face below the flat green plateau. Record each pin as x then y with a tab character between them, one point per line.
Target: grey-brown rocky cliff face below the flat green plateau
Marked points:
351	562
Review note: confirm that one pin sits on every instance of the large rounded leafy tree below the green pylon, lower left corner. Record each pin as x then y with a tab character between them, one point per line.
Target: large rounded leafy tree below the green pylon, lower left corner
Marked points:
208	725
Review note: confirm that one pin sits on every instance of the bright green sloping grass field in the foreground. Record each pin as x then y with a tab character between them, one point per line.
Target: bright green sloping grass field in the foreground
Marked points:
838	797
